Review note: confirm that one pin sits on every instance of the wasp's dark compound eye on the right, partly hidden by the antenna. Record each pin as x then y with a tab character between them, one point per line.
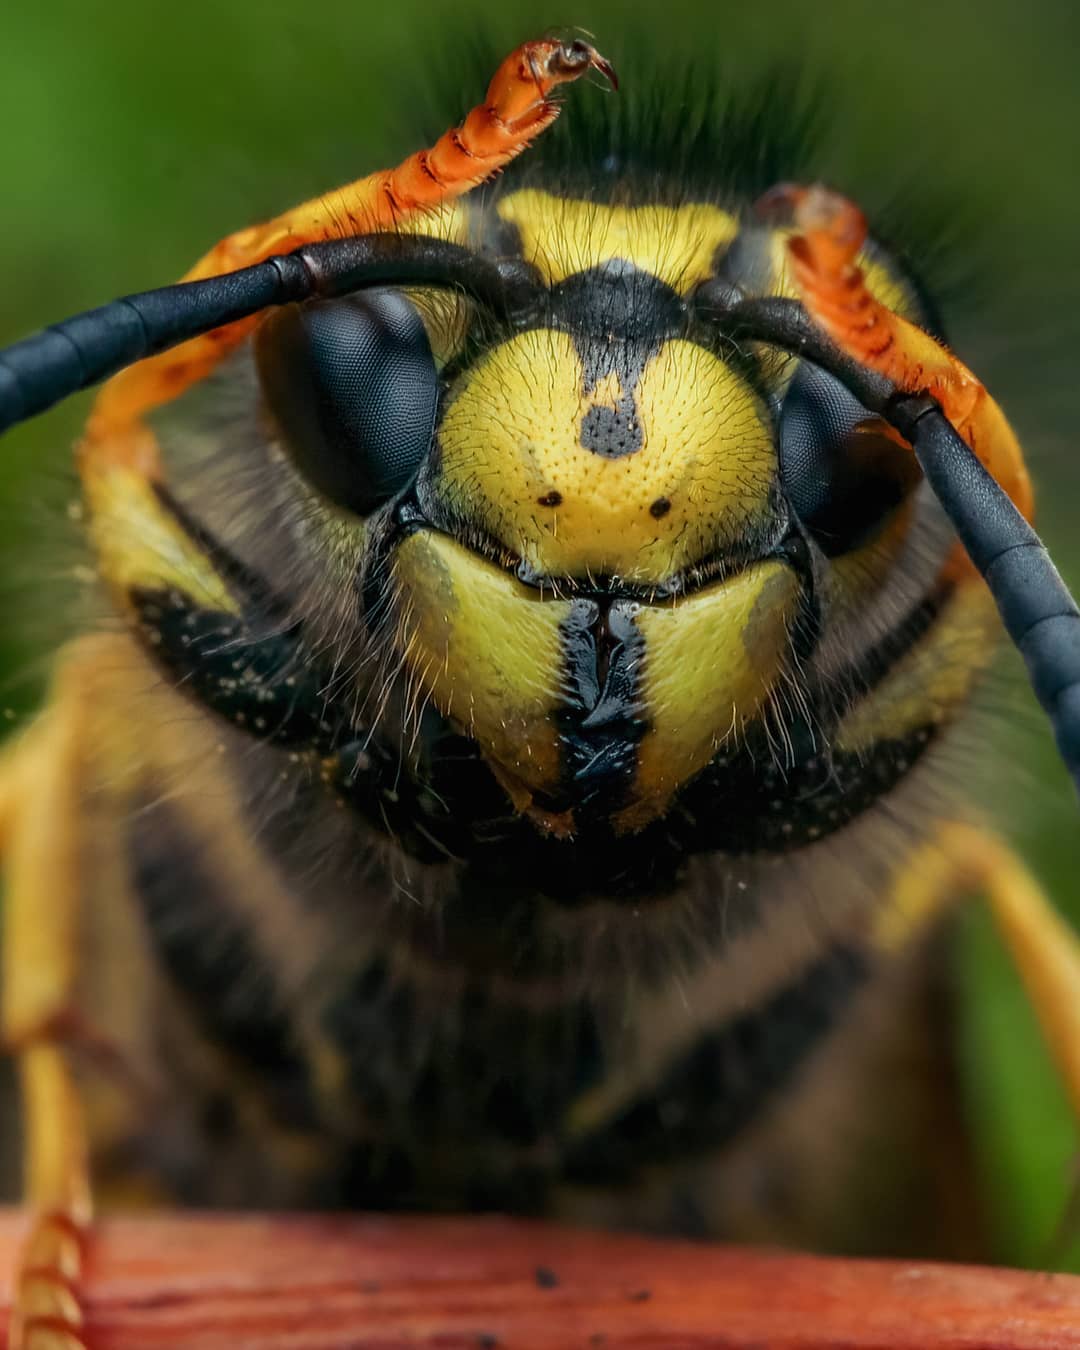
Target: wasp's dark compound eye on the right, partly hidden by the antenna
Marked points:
840	476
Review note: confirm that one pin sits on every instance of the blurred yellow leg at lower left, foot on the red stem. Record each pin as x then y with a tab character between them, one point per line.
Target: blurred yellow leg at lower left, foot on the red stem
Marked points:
41	784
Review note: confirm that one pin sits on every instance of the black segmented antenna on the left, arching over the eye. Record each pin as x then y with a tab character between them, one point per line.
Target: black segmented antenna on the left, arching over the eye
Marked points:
64	358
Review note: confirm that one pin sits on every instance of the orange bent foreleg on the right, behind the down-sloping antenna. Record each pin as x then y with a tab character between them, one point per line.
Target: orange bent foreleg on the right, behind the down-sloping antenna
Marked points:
830	234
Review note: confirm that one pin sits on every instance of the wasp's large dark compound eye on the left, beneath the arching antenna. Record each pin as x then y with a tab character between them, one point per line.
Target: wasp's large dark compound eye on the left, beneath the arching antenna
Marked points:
353	388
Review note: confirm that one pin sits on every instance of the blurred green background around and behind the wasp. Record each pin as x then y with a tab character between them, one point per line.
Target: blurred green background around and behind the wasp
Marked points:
133	134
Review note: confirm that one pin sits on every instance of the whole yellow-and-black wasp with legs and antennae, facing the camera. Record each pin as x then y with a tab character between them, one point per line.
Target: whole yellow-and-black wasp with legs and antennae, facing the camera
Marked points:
549	591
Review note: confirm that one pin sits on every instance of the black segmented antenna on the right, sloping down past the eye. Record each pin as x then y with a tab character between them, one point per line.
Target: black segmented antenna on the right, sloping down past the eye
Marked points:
1036	605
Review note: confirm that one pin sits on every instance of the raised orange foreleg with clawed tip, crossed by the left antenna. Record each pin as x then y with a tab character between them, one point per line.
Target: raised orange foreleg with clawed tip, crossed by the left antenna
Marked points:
516	110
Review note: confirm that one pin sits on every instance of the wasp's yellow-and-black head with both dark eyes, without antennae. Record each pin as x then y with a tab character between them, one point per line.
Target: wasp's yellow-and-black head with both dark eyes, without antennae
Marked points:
591	538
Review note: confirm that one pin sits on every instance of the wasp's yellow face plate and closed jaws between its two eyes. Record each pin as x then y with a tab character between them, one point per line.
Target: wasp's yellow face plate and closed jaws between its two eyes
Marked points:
600	589
